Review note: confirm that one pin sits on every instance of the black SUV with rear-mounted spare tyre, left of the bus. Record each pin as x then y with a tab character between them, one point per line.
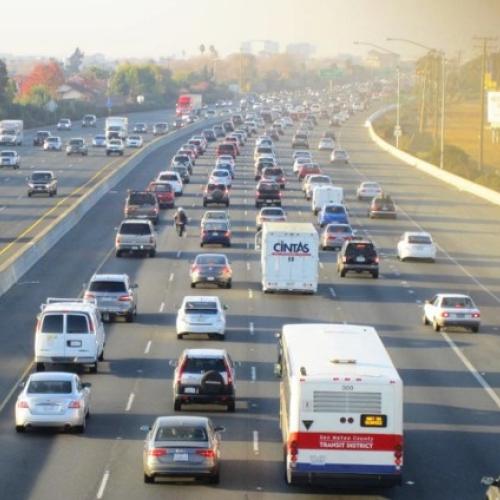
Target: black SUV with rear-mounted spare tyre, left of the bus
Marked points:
204	376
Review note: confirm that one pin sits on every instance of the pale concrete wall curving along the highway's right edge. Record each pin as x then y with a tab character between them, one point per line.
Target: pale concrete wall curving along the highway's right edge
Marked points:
430	169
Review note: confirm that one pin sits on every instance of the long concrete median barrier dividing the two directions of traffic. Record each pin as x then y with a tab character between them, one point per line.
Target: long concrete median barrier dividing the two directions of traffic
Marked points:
21	262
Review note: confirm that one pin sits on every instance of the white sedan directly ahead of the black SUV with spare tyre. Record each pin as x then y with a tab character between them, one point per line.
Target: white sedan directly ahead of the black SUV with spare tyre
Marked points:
201	314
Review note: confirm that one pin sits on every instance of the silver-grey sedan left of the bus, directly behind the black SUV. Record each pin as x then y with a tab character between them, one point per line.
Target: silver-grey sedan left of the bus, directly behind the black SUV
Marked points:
182	446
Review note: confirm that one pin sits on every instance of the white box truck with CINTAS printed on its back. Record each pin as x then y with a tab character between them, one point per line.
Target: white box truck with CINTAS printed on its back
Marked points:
289	257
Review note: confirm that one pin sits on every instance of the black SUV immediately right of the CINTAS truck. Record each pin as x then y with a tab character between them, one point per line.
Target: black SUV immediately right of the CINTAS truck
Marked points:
358	255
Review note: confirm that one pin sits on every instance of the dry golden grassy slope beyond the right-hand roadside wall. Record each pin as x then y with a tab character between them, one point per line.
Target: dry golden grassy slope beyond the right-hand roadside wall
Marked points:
461	151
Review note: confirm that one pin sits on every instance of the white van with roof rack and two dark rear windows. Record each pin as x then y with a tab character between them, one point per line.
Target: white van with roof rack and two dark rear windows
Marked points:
69	331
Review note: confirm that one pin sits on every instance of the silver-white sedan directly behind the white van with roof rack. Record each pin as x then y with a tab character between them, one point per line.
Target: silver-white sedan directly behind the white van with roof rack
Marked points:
53	399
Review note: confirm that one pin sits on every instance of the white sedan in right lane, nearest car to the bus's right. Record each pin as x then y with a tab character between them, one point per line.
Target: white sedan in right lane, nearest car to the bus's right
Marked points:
451	309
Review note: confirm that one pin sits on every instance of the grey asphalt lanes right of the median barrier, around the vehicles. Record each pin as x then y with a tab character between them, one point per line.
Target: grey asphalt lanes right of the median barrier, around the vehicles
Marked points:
452	379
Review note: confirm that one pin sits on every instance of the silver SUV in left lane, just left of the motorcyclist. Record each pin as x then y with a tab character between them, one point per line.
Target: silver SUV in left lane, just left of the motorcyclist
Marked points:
136	236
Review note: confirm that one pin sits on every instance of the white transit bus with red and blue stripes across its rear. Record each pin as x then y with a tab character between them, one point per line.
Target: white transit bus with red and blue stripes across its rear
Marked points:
341	406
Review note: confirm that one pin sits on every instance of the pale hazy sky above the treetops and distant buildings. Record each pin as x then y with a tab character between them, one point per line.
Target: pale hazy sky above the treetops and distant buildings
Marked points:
153	28
